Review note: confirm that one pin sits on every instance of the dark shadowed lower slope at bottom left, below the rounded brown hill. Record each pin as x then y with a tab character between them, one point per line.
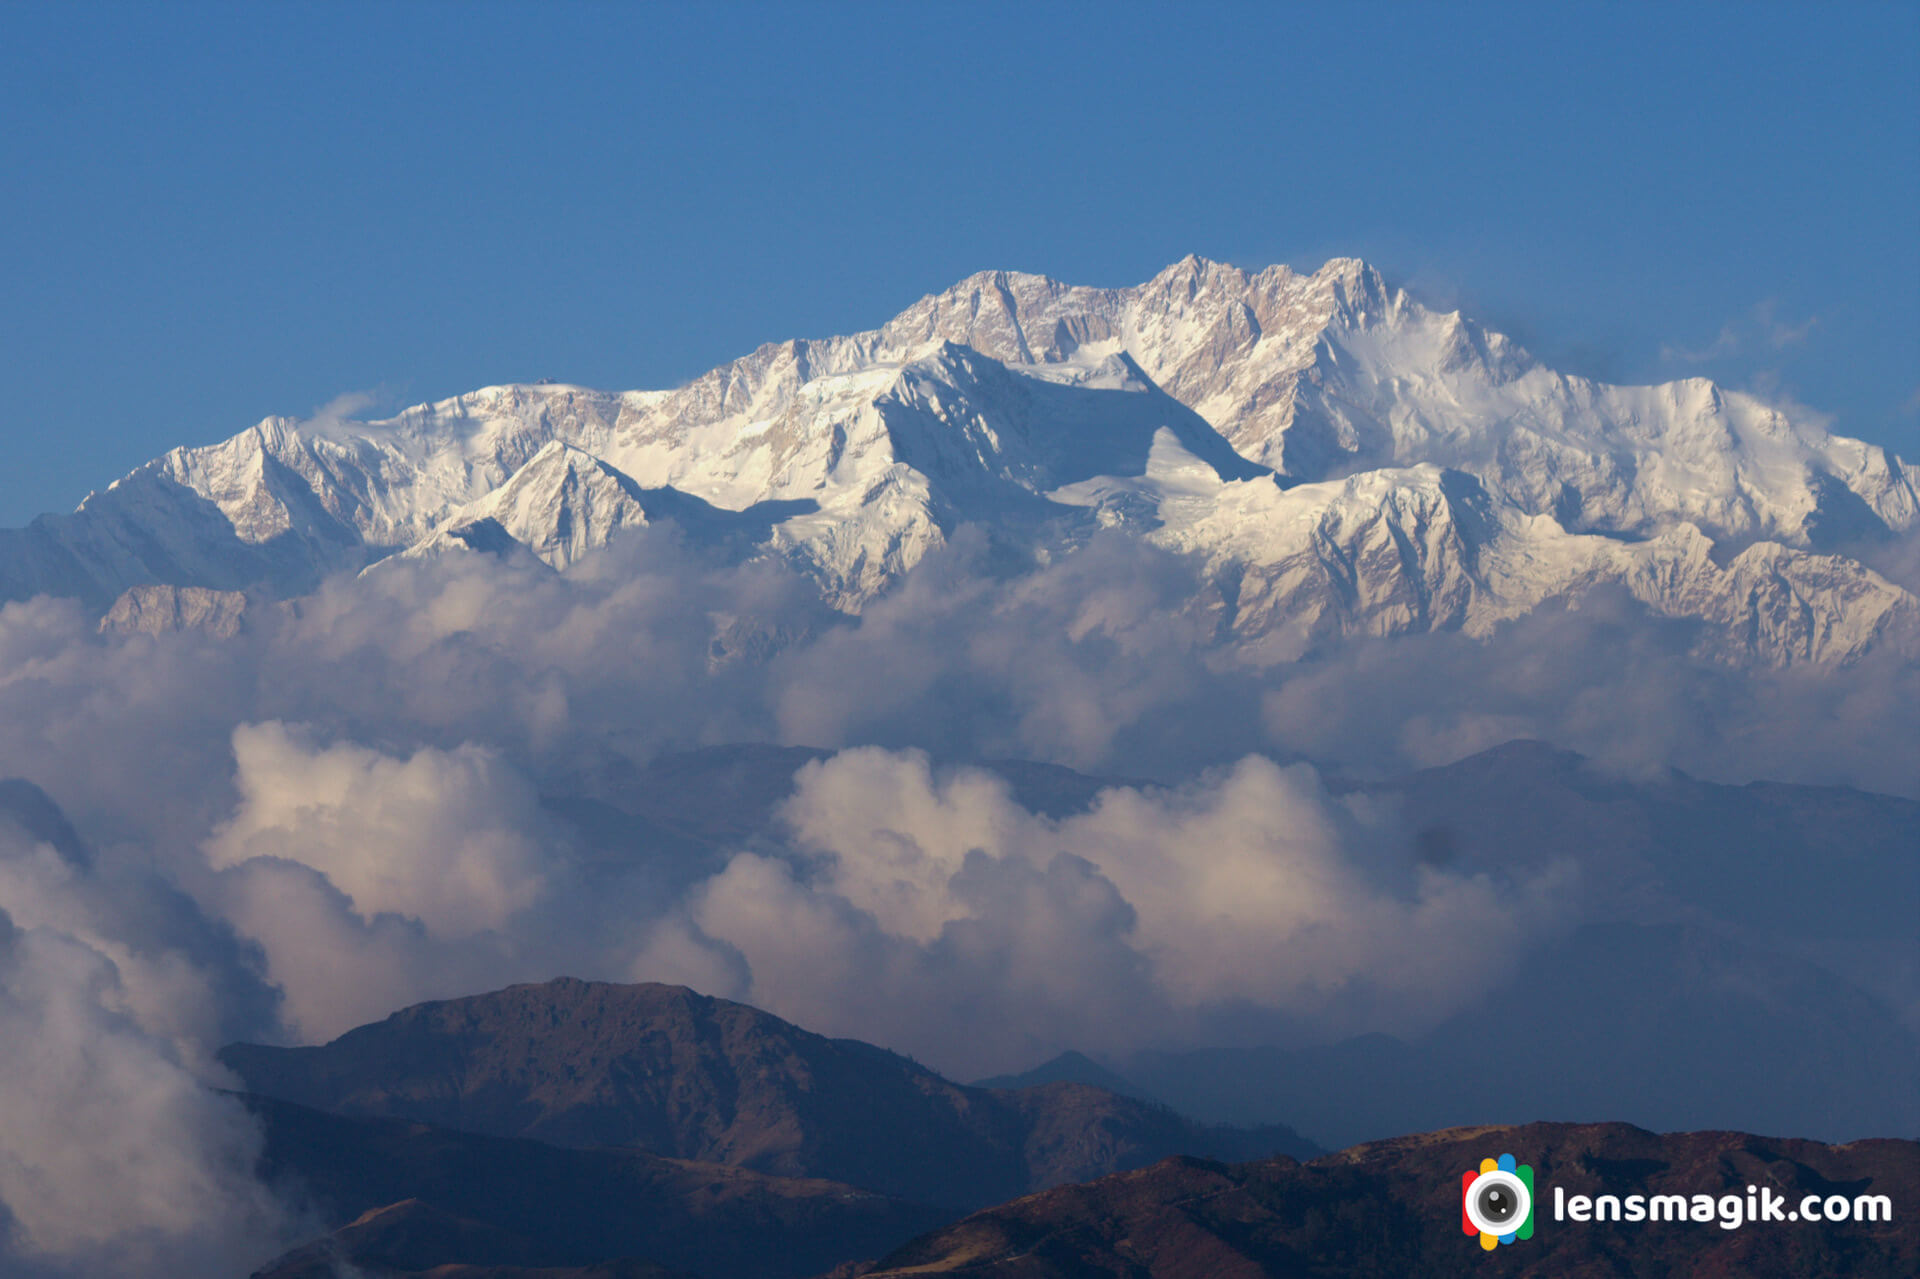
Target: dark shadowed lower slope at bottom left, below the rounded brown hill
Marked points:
408	1197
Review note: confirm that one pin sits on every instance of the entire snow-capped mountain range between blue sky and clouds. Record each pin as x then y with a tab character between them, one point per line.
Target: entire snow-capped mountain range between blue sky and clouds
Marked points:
1341	460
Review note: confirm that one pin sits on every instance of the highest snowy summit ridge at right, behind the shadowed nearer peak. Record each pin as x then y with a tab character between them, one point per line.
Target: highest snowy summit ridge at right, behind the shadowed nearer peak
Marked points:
1337	372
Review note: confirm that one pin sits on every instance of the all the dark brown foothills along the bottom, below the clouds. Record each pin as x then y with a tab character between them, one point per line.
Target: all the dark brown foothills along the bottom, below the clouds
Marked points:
579	1130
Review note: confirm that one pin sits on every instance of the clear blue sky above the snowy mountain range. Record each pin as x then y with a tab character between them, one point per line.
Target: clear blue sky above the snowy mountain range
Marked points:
214	214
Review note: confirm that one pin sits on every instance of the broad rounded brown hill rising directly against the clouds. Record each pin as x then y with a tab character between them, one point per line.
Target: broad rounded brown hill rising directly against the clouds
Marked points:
679	1074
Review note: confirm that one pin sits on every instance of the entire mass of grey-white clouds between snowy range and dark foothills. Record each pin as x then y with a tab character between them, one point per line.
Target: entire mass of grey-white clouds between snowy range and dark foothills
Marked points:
339	813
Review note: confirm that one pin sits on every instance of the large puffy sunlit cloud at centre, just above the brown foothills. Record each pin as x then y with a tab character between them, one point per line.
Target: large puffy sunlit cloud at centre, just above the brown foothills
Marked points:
930	911
